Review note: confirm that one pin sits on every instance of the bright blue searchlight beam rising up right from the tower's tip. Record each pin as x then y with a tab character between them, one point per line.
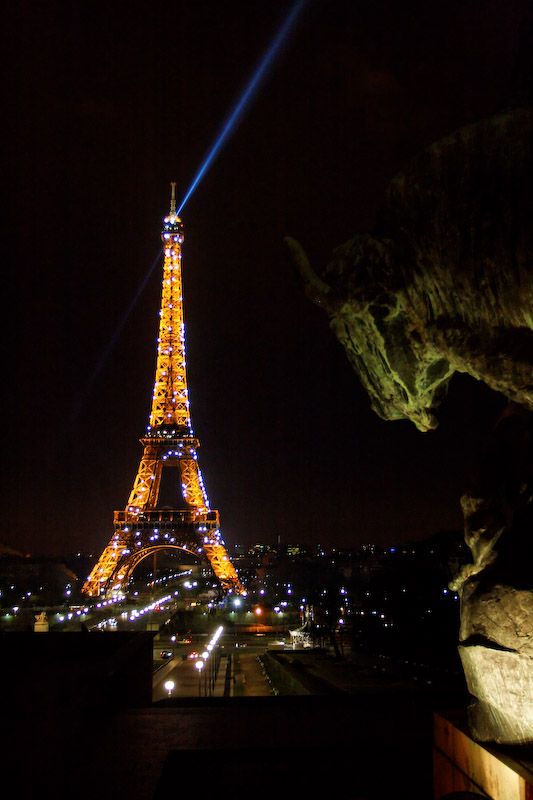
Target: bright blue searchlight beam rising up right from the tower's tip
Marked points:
246	96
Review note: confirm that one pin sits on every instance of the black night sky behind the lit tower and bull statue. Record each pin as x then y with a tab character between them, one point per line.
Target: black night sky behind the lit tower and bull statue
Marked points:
107	102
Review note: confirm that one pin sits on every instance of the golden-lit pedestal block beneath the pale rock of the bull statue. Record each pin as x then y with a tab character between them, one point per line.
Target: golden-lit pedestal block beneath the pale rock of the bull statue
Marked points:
462	765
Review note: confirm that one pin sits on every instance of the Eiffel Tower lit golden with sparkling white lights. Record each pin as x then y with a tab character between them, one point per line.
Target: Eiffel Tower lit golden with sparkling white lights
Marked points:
144	527
